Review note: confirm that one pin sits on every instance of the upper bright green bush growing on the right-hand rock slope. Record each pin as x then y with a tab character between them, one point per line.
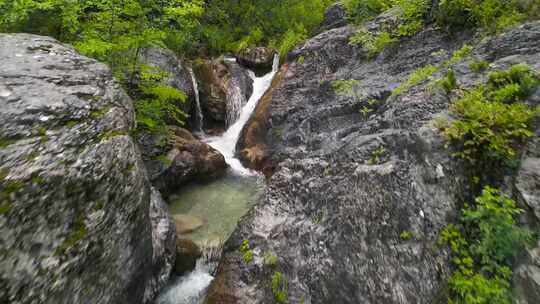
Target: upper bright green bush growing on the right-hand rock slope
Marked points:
492	121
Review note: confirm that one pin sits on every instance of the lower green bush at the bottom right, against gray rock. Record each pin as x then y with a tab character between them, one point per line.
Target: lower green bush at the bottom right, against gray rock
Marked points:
484	245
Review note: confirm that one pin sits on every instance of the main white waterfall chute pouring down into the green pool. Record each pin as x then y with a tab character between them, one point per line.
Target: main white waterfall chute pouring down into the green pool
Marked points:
226	143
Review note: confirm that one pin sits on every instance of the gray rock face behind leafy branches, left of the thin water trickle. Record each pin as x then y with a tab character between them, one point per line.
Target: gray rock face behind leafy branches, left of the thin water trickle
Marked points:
178	74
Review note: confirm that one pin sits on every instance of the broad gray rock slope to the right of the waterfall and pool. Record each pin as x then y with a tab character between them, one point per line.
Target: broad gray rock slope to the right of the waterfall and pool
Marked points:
355	201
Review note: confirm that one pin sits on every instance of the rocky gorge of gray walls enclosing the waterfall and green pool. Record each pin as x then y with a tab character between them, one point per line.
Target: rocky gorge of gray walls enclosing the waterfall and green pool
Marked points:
357	178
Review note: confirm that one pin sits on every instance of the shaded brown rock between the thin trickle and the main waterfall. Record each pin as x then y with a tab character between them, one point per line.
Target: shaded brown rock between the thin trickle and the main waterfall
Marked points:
225	88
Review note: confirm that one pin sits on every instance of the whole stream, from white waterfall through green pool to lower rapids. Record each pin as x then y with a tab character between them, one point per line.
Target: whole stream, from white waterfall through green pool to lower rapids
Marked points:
219	204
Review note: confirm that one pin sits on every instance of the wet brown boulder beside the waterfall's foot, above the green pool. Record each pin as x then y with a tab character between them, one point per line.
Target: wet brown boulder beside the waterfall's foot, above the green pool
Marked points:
176	158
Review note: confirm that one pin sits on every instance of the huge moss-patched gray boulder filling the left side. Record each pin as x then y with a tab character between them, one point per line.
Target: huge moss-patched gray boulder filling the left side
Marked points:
74	196
